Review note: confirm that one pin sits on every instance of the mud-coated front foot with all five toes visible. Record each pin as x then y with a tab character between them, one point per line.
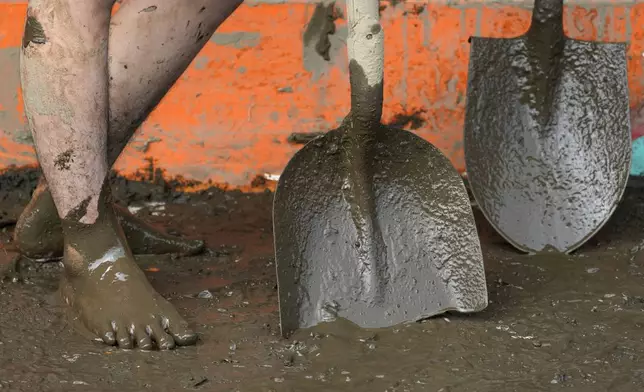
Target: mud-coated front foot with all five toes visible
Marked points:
110	294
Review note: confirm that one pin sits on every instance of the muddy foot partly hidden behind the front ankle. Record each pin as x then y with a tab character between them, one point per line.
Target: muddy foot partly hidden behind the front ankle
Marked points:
38	233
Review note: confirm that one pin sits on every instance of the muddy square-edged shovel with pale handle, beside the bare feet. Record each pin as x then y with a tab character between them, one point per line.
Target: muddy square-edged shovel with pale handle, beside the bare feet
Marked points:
373	224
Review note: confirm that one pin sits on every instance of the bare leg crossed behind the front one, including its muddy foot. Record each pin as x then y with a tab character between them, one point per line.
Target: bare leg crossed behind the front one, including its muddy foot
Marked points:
151	44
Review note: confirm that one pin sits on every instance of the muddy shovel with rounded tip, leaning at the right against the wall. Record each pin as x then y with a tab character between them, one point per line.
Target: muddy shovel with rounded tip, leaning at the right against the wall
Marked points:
547	133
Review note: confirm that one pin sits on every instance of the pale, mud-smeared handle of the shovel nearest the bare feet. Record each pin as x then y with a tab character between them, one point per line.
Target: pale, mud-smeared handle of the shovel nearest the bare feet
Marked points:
366	51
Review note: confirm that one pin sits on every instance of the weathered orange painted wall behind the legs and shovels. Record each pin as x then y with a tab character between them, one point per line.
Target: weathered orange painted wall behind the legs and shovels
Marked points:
229	116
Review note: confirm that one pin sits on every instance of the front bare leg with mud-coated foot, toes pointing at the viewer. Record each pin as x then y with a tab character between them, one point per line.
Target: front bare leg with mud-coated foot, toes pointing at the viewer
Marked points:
64	69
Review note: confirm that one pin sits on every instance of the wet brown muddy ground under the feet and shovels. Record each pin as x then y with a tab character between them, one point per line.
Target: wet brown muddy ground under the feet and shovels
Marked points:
573	323
